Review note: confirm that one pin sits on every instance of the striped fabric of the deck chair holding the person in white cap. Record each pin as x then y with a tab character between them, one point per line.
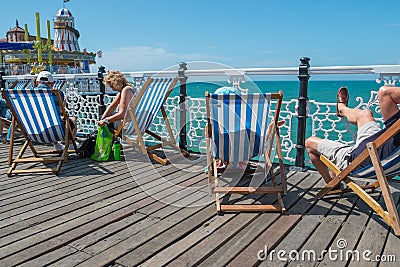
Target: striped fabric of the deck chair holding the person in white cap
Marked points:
37	114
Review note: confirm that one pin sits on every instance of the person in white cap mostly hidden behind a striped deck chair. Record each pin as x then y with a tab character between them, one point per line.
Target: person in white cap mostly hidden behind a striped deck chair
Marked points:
46	80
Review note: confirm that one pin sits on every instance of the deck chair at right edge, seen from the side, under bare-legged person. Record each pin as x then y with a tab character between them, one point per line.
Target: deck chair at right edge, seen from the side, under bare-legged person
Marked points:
381	169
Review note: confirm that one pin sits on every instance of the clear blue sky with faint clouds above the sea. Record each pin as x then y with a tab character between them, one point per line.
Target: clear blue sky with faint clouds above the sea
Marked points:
139	35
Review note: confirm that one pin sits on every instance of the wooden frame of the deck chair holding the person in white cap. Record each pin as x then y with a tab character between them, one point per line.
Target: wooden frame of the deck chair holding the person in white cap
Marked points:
40	156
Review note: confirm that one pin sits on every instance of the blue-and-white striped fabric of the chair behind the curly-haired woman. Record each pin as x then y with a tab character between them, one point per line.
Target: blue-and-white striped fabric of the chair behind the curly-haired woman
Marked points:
150	104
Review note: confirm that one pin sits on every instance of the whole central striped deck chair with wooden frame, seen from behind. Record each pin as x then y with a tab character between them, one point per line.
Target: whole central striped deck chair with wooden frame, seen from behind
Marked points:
239	129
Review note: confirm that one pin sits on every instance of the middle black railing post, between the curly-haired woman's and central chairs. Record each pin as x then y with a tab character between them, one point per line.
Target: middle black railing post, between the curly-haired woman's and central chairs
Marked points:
182	105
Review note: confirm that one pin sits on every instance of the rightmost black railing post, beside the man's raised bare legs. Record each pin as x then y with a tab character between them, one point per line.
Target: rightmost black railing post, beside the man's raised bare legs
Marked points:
302	112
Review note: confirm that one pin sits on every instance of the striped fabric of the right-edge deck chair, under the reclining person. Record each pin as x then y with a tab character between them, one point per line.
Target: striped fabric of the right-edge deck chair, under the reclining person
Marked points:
390	165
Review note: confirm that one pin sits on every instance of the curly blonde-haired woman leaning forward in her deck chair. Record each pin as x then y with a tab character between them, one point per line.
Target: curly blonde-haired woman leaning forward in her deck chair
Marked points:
118	82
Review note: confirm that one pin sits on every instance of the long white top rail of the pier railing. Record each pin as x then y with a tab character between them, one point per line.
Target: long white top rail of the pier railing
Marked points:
392	70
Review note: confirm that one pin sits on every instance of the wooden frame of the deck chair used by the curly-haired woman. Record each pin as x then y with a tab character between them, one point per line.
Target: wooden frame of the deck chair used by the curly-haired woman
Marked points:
139	143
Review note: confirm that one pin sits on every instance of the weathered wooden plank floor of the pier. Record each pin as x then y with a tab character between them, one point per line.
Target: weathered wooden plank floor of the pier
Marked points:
136	213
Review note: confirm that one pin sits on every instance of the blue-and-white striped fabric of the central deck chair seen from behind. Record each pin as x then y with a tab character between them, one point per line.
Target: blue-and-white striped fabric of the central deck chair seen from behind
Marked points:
239	119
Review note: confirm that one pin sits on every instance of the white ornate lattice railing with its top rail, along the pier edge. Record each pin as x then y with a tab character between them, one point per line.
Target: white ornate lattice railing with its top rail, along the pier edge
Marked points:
83	100
